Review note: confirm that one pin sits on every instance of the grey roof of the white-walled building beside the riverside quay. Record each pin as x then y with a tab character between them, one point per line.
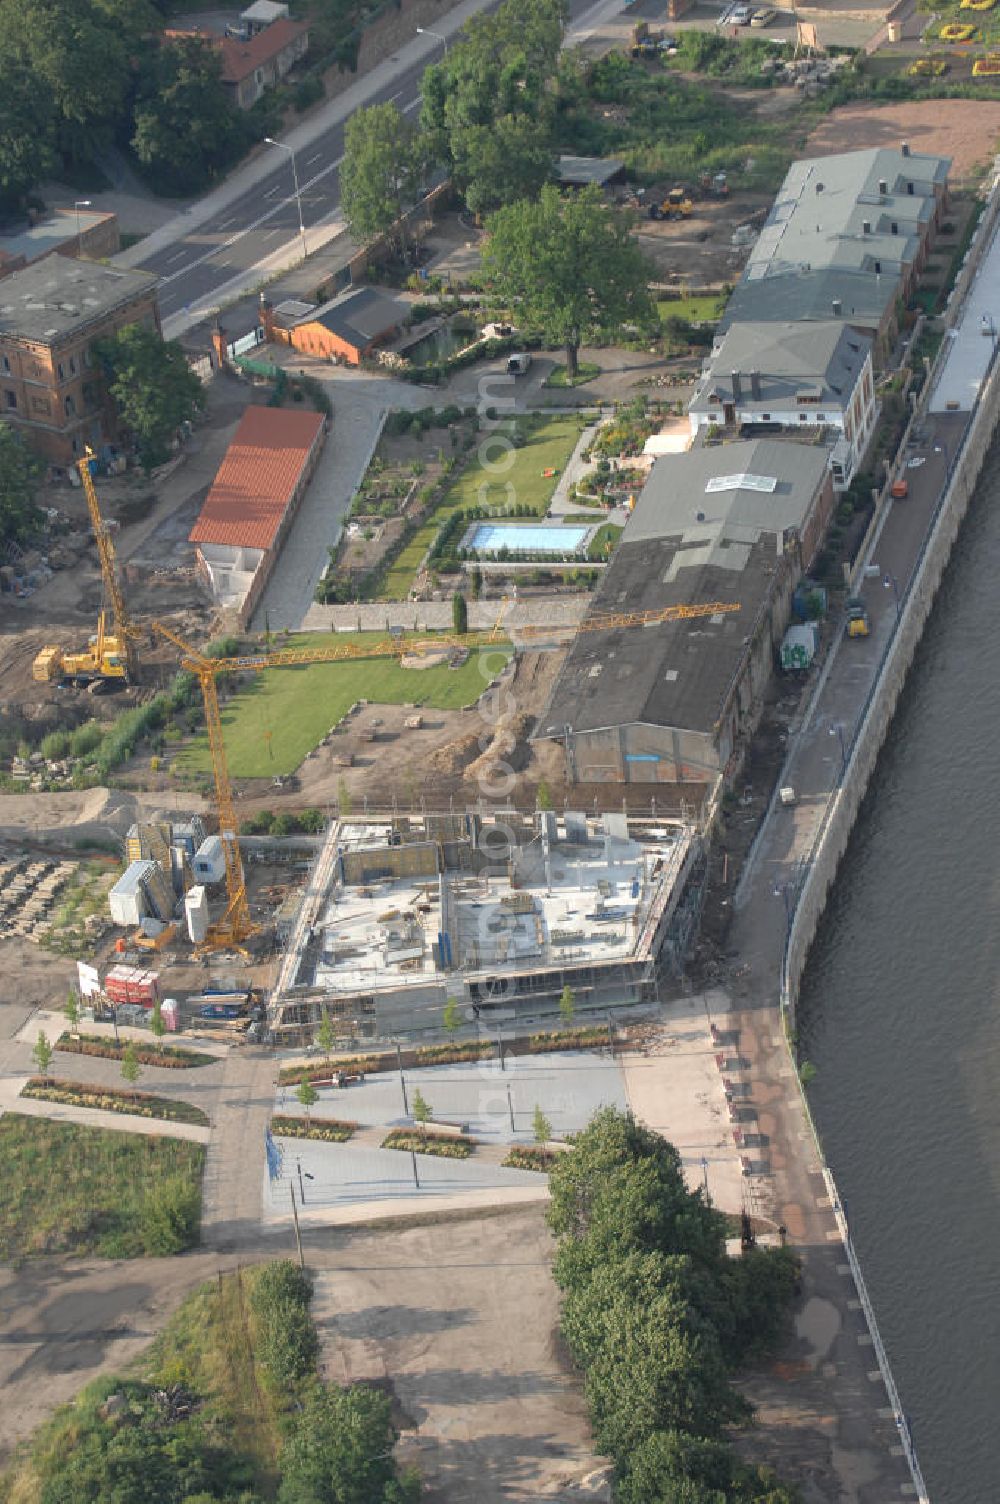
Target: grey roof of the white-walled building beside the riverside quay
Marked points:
790	360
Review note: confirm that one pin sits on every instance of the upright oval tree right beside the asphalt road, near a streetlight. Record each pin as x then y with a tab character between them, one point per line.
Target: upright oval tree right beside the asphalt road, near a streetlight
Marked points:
381	172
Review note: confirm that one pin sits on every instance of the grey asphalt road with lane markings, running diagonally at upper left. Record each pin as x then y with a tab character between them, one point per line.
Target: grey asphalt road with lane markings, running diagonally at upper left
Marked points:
261	222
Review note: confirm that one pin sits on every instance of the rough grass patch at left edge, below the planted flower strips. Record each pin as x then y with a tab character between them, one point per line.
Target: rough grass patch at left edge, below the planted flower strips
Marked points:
70	1189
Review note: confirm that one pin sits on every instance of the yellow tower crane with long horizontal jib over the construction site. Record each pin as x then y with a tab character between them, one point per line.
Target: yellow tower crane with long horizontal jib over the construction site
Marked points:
237	926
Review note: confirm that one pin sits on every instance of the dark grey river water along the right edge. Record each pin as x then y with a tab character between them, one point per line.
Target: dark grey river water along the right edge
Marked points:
900	1013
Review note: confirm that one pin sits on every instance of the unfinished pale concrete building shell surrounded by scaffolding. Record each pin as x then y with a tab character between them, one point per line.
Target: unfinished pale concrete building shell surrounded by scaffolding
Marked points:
498	915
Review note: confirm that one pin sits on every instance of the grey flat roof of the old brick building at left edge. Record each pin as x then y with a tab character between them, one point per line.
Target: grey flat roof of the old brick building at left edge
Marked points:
59	297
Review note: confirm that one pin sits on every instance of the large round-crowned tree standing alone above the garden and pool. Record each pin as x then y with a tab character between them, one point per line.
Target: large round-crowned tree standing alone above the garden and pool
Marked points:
569	267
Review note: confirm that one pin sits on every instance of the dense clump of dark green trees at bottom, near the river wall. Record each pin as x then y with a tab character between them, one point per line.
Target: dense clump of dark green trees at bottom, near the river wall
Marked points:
658	1317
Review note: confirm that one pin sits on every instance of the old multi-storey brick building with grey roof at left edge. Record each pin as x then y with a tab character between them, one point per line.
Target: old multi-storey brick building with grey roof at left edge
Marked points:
52	389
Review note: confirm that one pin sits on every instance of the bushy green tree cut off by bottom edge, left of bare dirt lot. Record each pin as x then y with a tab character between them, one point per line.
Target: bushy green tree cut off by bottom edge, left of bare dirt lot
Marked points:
341	1451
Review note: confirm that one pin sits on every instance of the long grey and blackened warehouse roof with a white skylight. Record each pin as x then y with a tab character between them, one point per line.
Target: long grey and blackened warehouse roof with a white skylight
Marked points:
680	673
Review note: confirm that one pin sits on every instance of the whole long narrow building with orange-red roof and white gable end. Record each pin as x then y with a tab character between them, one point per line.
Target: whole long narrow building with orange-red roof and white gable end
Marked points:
253	500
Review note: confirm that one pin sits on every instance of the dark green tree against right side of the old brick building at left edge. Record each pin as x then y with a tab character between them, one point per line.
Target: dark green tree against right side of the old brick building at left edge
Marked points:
154	389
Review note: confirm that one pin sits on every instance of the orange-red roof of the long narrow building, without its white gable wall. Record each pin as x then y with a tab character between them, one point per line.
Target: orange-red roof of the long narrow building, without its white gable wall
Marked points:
258	479
